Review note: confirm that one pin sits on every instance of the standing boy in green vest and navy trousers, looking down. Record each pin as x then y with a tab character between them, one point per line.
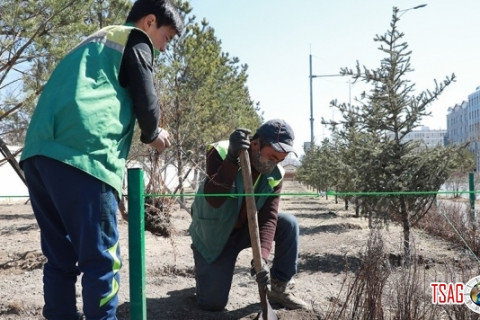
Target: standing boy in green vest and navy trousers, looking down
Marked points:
75	152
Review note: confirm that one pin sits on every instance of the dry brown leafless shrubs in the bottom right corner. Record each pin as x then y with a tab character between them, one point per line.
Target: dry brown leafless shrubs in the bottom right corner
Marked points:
382	290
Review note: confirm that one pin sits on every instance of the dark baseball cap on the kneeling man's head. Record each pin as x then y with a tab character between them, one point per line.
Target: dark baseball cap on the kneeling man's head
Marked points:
279	134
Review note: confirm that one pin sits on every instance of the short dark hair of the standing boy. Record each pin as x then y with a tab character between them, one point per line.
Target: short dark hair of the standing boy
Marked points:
164	11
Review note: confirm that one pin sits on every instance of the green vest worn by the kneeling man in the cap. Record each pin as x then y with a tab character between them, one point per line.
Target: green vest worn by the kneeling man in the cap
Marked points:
211	227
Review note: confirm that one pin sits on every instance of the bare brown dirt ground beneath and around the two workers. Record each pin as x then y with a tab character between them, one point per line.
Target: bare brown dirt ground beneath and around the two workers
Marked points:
329	235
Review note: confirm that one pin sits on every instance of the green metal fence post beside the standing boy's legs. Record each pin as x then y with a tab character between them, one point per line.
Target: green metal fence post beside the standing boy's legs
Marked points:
136	244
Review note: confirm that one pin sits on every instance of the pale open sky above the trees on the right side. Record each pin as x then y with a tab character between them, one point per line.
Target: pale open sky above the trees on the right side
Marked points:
275	39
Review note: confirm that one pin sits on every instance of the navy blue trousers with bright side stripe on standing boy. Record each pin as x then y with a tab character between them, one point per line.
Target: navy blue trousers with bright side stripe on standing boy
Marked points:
76	214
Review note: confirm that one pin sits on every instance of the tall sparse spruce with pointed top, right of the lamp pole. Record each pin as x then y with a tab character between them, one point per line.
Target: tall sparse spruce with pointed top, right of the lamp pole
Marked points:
375	132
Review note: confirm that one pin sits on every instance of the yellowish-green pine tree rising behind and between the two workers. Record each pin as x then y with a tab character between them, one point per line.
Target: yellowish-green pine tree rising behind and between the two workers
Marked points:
203	95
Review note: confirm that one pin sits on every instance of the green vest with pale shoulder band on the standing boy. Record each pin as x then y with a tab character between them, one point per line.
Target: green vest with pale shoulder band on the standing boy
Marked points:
84	117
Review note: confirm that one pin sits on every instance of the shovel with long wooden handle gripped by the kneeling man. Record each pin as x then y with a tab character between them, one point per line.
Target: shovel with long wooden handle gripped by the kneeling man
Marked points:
267	311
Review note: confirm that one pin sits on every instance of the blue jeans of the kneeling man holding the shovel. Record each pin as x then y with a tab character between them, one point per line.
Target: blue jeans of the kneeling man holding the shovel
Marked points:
214	280
